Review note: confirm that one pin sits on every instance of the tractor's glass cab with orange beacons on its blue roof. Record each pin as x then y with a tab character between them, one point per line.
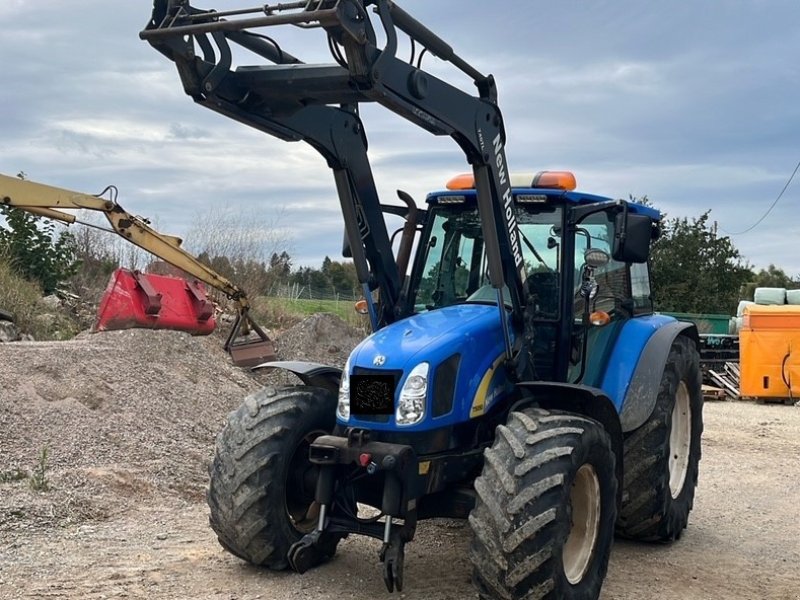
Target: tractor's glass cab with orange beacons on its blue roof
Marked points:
581	285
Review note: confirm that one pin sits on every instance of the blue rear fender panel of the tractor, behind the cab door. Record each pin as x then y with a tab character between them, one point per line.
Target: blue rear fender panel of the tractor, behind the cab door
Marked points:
625	355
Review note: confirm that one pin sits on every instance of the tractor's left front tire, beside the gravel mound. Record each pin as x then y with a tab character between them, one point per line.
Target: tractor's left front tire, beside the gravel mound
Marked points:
261	492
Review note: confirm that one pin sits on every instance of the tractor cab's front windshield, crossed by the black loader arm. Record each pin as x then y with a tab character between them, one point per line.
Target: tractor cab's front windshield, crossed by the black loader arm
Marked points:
455	268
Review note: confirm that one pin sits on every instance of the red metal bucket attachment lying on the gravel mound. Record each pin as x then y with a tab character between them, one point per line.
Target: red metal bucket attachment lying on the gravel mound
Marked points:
134	299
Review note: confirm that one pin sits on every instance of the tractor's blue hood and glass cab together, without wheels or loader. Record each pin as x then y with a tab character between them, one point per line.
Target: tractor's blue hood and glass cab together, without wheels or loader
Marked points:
582	286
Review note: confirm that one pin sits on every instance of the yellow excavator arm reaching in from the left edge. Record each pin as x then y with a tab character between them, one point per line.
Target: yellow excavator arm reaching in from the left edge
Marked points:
51	202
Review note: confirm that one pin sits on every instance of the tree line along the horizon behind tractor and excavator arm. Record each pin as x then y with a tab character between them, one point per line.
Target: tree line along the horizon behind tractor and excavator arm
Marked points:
694	268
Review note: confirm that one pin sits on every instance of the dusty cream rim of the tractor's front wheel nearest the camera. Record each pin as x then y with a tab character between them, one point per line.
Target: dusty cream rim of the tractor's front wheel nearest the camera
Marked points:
585	501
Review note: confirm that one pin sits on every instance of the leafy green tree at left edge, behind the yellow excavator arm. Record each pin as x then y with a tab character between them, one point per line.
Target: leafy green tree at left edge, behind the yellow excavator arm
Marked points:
36	250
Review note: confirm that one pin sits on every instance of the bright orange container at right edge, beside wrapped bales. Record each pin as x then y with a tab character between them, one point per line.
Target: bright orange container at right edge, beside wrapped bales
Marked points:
769	352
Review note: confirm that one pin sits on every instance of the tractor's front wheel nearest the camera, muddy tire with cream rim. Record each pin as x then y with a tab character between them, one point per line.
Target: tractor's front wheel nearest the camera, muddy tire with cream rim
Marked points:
543	522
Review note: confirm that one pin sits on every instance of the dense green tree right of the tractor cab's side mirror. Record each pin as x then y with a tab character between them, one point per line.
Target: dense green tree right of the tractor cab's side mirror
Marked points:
695	269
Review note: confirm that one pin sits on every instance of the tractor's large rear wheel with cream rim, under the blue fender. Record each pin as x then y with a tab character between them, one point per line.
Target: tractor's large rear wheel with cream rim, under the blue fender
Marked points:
662	456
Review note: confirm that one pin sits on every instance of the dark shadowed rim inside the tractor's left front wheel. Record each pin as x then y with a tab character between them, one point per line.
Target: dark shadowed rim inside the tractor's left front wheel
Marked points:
302	510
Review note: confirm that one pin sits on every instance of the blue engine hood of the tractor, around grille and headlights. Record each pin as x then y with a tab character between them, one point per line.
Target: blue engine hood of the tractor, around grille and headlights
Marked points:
471	330
